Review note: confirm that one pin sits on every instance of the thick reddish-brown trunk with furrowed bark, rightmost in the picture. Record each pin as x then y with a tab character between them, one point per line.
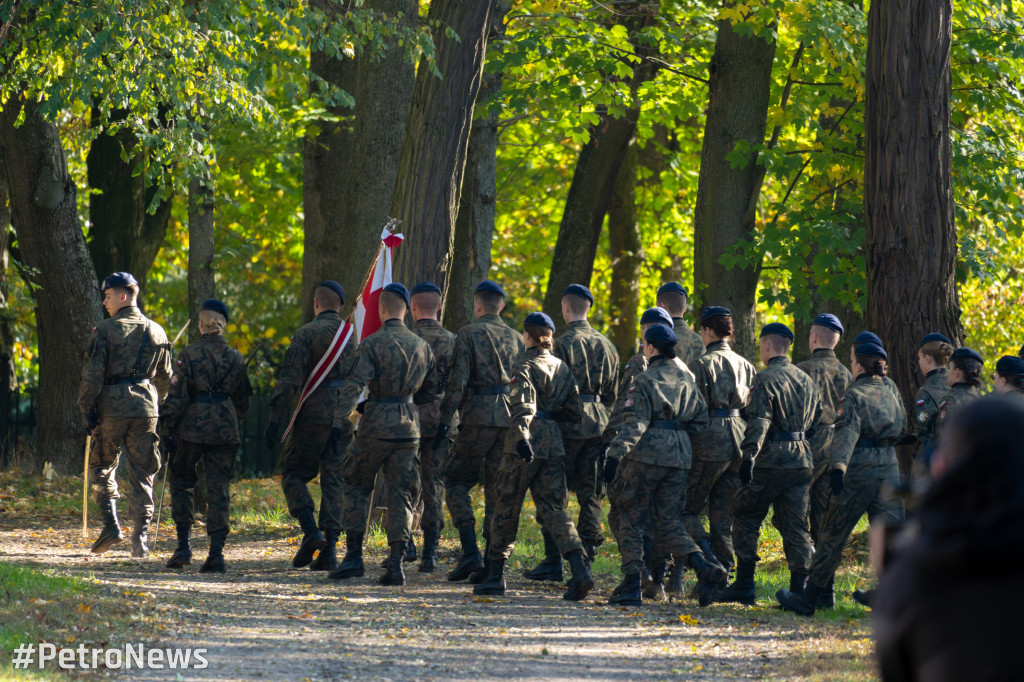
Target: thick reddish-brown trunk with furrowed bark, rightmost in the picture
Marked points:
911	241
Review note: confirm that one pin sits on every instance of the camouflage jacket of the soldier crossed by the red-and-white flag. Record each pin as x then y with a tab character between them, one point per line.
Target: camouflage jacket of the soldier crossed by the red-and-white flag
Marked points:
308	348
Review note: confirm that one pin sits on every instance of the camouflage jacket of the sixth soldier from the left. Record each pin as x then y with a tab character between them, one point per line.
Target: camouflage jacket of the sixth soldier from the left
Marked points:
482	367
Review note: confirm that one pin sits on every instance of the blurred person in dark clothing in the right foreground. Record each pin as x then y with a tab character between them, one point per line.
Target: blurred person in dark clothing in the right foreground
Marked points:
950	607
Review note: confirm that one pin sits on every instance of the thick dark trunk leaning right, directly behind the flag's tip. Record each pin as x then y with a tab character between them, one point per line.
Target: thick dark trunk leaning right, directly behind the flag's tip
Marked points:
434	156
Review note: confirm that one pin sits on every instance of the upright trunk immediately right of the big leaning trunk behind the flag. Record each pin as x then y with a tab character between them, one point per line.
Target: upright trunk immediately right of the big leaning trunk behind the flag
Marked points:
475	228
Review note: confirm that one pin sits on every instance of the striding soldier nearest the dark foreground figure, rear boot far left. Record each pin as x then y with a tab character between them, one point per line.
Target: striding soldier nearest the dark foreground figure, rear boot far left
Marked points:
870	422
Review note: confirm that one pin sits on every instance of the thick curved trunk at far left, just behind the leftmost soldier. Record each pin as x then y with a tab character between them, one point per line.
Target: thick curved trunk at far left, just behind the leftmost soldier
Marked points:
62	277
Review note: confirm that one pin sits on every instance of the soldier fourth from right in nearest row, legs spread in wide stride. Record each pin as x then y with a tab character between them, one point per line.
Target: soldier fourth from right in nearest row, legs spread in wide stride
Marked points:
544	396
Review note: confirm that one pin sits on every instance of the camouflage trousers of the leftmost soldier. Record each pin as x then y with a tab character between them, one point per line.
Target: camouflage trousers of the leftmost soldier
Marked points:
138	436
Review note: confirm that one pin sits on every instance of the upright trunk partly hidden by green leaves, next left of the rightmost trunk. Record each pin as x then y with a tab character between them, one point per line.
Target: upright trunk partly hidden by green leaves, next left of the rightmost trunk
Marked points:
740	84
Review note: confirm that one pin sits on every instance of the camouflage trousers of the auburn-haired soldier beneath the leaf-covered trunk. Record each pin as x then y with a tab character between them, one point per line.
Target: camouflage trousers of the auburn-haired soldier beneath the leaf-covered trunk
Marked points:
713	485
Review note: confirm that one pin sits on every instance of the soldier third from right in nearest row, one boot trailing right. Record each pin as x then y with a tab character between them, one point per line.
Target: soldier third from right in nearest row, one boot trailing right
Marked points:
664	408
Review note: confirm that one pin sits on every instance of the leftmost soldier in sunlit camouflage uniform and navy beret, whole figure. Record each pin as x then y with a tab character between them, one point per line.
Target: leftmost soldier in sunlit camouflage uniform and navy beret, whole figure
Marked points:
126	375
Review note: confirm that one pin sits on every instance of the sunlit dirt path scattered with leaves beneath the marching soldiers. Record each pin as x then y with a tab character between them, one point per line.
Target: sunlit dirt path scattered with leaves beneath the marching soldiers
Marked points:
267	621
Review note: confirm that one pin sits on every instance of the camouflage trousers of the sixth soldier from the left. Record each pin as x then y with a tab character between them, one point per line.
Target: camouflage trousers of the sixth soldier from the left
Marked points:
476	448
